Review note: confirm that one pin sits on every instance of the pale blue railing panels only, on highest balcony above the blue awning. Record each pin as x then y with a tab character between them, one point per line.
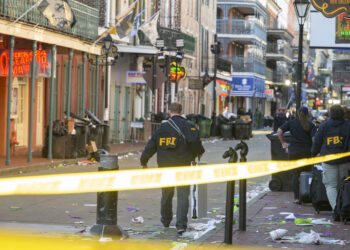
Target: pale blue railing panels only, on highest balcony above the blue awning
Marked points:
240	27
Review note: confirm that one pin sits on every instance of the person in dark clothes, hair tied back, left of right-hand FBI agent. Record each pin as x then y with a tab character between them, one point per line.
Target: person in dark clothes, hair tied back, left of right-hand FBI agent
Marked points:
302	131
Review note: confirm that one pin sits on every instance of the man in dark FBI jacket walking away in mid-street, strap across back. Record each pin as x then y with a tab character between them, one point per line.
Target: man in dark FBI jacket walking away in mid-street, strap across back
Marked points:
176	143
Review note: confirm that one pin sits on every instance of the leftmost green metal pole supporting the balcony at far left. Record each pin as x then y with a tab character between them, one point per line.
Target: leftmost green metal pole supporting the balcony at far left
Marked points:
9	96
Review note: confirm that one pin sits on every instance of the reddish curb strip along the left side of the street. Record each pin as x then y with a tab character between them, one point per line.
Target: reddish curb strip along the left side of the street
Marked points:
47	165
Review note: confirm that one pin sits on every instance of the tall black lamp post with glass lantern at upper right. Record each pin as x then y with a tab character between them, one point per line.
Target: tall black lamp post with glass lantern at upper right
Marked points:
301	8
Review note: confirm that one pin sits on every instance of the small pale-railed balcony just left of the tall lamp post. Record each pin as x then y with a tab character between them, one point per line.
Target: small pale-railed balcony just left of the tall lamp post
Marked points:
279	52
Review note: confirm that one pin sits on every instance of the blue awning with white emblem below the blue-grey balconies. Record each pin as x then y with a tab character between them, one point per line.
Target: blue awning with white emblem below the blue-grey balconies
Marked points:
248	86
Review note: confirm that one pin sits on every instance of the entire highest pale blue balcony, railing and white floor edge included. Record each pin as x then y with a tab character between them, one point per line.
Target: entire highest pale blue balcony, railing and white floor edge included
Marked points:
246	31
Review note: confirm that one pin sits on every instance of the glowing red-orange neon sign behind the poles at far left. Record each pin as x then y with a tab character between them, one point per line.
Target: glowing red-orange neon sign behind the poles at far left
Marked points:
22	60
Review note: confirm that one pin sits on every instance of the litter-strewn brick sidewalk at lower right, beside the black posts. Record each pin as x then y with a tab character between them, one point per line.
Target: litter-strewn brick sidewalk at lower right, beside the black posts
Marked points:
264	216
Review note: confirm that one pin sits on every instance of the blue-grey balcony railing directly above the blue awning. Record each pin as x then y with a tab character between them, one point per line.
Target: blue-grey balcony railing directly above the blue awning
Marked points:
247	64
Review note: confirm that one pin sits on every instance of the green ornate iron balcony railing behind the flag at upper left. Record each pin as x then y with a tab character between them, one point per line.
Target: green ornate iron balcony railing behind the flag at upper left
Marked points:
86	18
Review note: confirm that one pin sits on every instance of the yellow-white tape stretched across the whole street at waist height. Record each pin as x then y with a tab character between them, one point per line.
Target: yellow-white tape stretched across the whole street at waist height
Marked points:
150	178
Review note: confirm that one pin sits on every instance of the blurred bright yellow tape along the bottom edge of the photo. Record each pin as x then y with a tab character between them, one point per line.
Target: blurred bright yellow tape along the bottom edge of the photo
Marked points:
25	241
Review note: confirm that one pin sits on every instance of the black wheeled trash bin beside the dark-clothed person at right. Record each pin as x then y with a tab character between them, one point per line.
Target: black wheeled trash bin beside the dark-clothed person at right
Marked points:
281	181
